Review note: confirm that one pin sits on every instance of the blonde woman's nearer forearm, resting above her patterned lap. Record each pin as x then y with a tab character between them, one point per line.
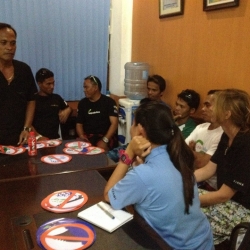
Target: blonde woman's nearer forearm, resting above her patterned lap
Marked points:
224	194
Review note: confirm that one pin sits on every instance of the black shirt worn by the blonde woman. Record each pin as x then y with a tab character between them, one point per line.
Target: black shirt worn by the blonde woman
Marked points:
233	166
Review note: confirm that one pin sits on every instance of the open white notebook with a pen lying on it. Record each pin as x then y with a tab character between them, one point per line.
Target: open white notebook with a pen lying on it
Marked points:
104	216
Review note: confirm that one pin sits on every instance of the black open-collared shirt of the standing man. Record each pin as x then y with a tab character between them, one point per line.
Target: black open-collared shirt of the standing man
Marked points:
13	102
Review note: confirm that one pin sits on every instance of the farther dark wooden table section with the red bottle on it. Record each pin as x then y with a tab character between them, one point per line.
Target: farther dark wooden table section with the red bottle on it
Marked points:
23	166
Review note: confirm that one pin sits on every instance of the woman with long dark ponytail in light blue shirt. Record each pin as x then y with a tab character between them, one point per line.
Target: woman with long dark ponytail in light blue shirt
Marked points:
162	189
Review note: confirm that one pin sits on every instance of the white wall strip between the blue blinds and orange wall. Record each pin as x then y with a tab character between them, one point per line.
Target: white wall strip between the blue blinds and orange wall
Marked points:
120	43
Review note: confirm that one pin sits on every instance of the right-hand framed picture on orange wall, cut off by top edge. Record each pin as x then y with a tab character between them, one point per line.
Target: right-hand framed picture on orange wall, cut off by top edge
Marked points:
219	4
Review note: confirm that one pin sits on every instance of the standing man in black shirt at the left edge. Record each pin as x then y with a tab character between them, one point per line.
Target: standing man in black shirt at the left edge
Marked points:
17	89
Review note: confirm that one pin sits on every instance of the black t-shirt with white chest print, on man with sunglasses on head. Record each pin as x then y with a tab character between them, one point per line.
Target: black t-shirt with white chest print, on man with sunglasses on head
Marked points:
95	115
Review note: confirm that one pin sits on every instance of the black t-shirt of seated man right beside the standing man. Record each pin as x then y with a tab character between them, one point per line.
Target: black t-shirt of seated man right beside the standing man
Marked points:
46	119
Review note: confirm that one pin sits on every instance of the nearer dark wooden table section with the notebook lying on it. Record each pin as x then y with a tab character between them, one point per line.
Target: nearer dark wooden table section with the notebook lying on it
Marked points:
20	210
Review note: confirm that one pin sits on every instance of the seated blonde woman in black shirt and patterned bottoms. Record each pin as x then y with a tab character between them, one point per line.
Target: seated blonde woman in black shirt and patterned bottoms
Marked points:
230	204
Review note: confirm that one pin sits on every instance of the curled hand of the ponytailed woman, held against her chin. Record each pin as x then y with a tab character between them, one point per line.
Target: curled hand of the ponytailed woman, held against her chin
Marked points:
139	146
